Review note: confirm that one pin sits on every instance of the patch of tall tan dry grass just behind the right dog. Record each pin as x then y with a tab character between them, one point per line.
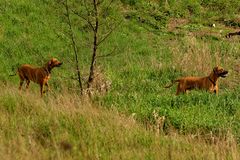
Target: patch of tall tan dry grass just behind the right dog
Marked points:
195	56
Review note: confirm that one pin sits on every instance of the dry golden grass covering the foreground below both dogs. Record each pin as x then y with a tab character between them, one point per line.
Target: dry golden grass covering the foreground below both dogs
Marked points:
66	126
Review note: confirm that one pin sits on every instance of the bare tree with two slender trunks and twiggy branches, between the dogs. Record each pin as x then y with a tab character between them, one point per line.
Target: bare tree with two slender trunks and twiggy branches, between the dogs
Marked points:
92	18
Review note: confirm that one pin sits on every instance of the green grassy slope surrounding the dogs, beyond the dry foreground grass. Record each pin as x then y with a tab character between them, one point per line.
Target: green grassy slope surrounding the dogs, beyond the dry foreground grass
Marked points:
156	42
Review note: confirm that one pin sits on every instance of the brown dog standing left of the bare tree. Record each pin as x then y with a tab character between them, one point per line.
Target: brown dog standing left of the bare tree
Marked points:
39	75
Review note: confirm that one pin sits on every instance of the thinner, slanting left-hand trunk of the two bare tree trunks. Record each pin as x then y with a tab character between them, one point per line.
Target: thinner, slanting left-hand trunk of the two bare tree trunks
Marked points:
74	48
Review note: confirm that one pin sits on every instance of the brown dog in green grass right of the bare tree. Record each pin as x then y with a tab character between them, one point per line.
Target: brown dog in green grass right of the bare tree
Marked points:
208	83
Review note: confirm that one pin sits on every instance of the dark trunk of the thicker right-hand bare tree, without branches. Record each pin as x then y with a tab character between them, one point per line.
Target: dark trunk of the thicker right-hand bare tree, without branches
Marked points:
95	45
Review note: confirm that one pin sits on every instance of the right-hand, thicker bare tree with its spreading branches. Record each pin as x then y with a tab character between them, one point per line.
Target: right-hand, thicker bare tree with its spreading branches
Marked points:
94	10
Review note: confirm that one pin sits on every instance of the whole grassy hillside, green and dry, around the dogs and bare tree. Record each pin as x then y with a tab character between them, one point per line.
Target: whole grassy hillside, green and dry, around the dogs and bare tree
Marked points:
155	45
